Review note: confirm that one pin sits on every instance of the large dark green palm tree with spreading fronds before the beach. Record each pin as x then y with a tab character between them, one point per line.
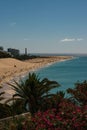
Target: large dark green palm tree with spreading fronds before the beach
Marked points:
33	91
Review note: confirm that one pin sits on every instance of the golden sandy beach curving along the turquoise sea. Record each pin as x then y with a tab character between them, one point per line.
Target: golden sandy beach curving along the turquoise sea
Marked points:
11	68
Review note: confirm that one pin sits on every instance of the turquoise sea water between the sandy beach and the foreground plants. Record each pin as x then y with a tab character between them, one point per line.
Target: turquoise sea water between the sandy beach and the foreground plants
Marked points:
66	73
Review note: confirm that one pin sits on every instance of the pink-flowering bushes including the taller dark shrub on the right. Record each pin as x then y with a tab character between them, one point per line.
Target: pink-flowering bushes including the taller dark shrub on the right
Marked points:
59	113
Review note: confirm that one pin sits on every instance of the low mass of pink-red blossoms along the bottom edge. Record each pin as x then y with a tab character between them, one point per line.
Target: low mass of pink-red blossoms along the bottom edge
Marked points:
68	117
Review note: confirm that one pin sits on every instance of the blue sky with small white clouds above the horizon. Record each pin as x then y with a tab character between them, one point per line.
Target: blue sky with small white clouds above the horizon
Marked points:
44	26
